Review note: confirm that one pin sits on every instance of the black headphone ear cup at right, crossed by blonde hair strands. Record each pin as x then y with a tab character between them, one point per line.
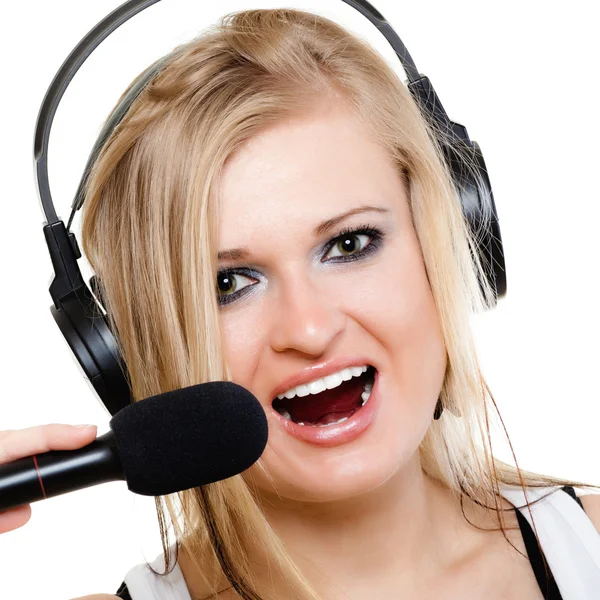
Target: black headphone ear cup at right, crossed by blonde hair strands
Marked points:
470	176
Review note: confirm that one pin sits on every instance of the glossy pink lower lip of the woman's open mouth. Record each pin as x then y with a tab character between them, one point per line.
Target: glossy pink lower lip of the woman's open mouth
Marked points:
336	435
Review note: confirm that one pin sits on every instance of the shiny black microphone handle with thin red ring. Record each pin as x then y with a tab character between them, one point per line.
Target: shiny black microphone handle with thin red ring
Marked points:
57	472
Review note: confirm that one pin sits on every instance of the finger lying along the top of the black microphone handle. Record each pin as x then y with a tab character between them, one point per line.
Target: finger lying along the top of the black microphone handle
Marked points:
18	443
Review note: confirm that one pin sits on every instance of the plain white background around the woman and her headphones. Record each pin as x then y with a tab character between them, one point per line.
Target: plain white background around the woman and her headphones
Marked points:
522	75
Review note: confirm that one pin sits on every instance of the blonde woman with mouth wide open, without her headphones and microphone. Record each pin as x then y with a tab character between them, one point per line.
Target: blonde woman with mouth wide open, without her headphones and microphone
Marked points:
282	156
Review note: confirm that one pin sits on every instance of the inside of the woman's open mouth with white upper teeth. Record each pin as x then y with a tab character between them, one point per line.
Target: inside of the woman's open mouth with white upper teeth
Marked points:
349	390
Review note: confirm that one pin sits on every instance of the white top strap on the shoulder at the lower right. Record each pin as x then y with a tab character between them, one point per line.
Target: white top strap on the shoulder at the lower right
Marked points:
568	538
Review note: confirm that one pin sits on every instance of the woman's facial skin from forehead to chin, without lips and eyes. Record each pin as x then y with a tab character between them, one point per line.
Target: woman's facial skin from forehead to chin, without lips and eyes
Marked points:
306	309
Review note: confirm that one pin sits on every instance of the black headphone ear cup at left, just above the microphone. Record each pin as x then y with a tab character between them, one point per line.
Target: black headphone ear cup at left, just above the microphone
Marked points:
86	330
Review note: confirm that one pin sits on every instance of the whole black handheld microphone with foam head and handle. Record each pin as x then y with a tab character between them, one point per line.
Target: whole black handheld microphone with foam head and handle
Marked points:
164	444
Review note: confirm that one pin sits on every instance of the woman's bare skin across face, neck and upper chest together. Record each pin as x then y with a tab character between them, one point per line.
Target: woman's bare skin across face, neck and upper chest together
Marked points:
361	518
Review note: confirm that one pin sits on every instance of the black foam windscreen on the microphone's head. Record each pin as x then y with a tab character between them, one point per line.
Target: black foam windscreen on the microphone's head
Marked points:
189	437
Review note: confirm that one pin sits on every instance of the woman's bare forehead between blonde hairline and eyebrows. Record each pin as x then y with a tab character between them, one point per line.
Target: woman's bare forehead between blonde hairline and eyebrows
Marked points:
303	170
